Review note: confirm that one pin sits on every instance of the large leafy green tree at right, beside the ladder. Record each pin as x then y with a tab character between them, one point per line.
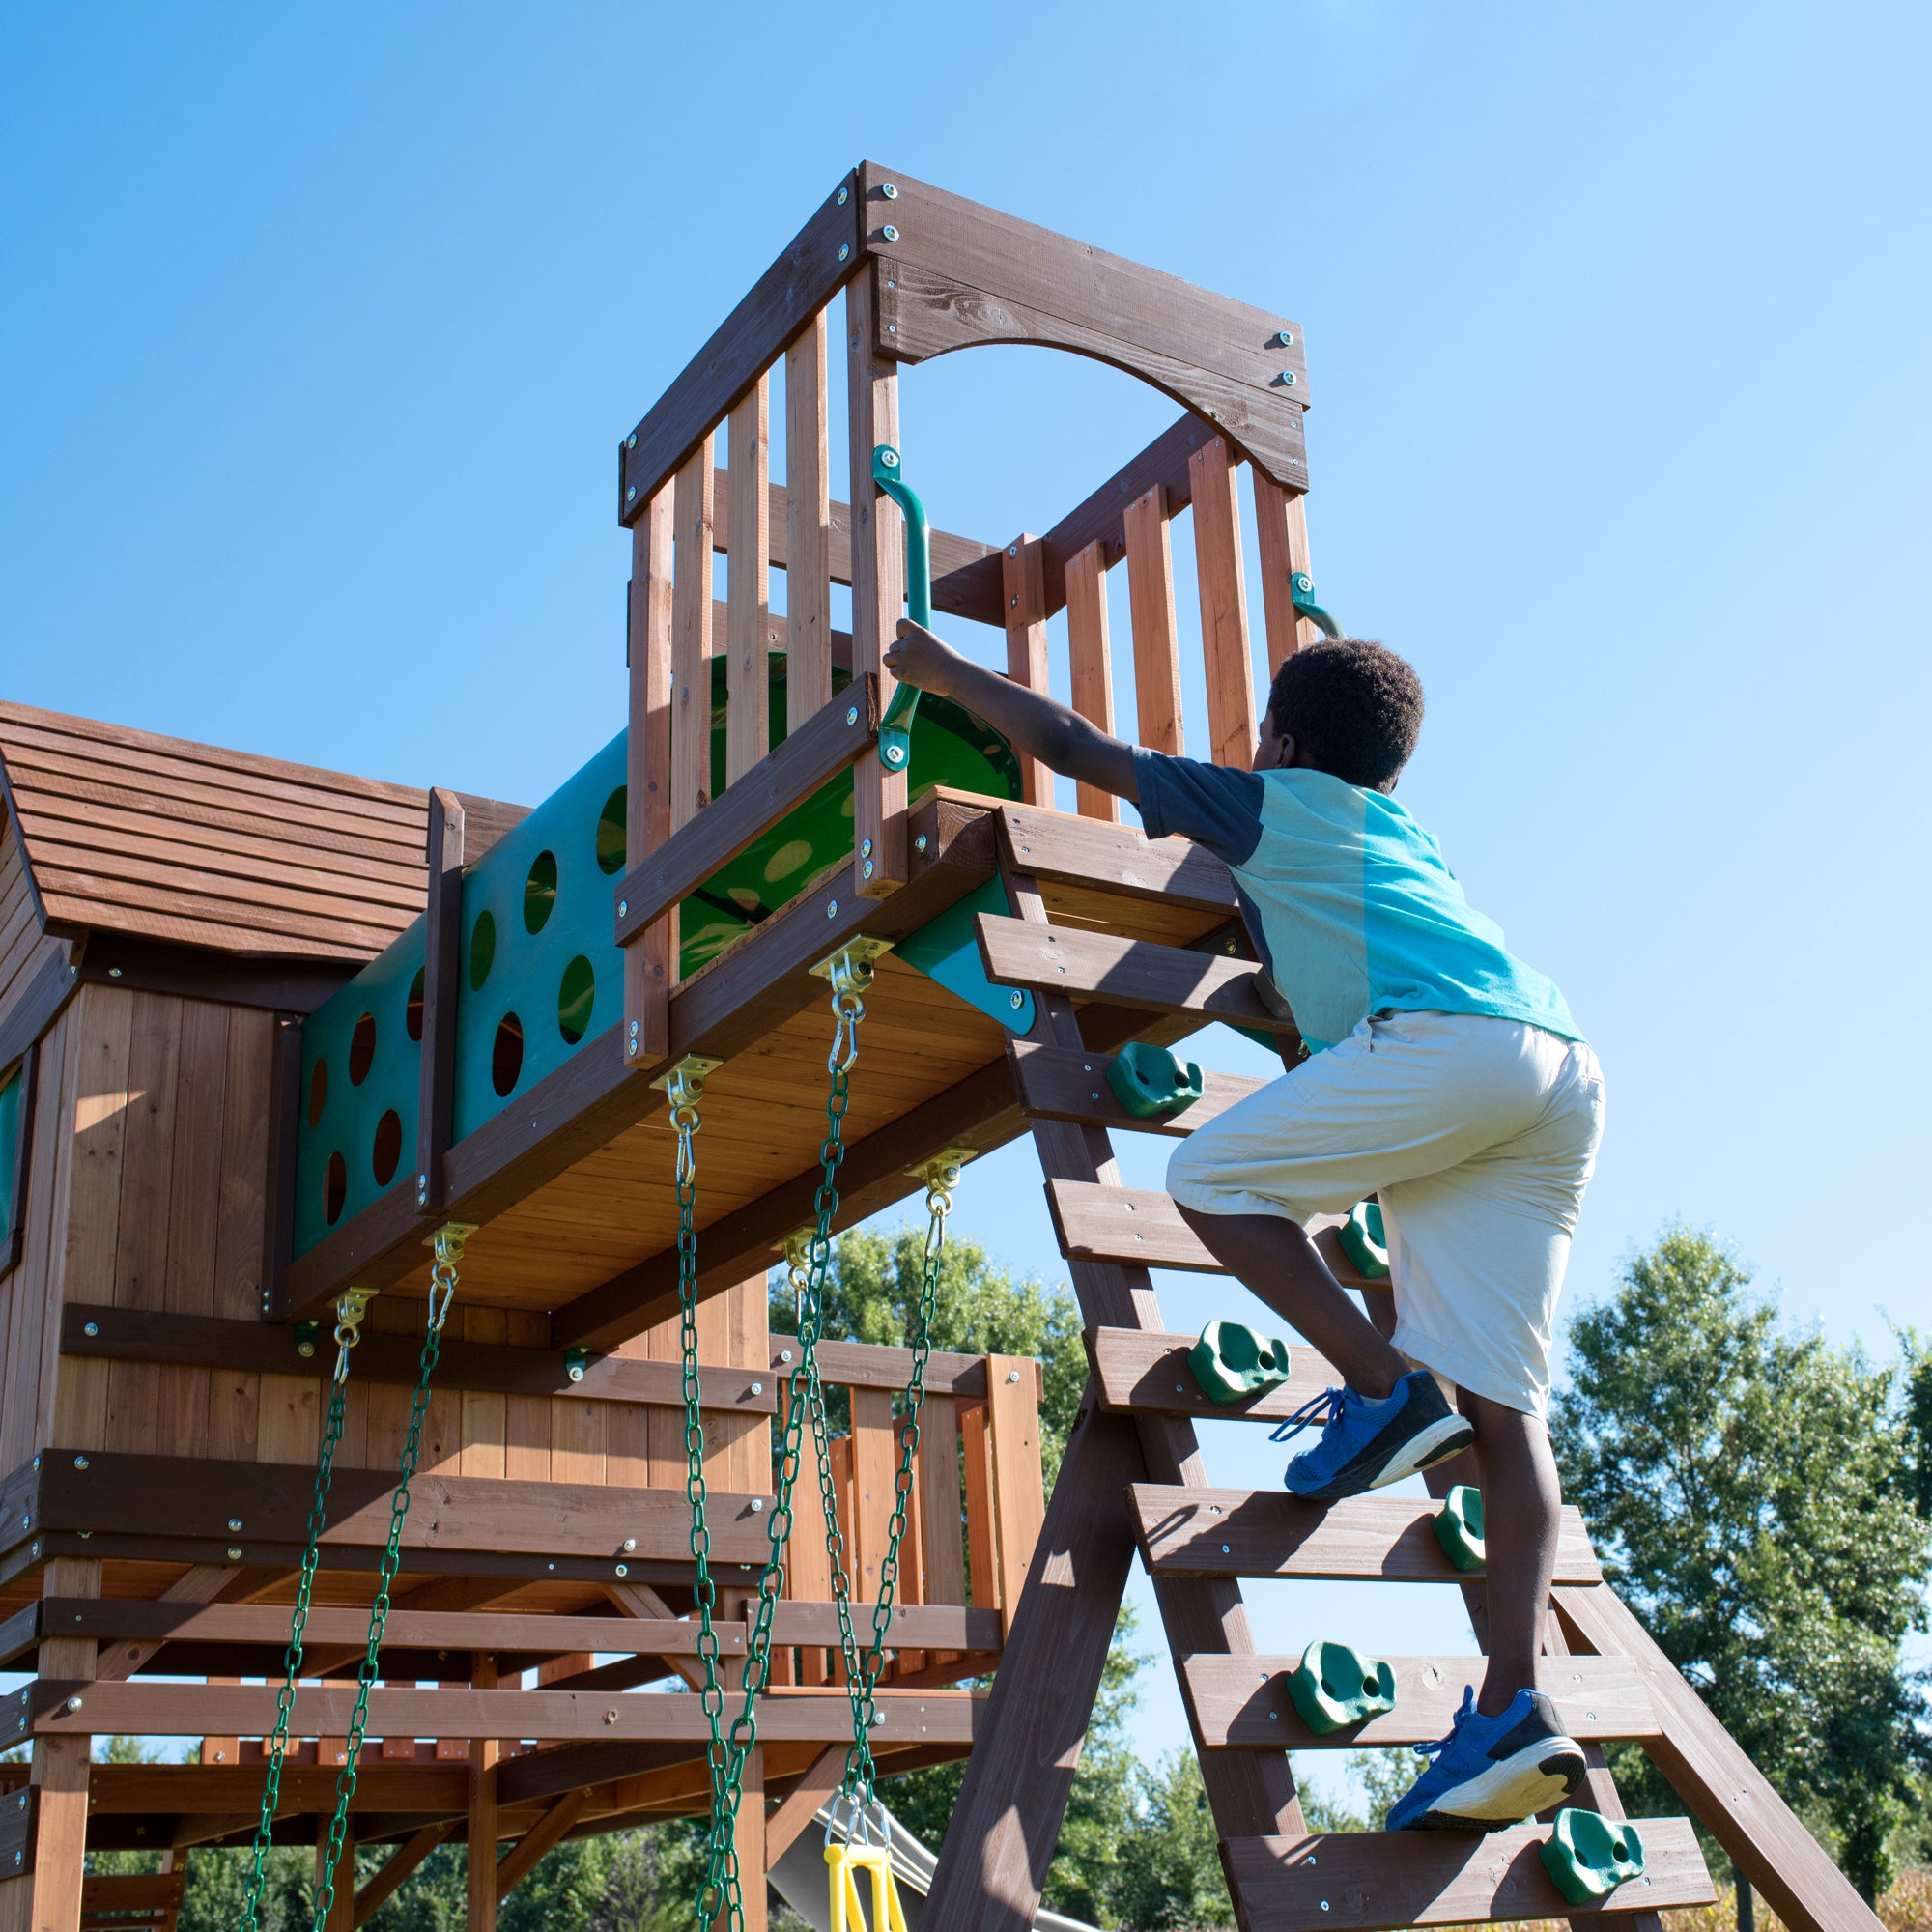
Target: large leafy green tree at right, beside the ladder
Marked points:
1757	1496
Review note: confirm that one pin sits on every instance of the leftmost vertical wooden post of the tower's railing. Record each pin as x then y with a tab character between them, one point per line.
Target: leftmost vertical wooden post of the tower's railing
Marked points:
650	961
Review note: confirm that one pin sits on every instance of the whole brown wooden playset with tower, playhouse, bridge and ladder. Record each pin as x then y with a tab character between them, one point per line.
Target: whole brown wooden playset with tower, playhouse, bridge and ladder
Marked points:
353	1133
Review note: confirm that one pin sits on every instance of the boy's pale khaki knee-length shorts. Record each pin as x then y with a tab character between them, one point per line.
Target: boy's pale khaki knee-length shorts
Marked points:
1479	1135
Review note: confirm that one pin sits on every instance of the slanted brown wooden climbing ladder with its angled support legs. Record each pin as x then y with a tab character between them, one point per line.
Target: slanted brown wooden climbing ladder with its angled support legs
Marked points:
1133	1479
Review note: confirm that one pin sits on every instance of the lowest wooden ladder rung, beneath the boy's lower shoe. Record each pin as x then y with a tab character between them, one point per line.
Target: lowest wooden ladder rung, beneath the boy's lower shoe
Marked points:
1369	1881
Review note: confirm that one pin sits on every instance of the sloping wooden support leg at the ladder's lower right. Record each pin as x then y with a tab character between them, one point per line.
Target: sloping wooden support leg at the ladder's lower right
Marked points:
1713	1775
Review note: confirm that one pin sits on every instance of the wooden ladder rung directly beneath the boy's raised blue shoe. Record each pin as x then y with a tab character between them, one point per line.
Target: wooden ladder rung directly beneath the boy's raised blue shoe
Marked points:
1261	1533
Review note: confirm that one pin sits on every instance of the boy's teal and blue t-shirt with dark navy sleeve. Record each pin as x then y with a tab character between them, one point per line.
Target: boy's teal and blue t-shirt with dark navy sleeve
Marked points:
1348	899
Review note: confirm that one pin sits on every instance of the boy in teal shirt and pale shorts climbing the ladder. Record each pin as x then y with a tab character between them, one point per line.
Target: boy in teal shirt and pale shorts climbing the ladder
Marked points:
1444	1075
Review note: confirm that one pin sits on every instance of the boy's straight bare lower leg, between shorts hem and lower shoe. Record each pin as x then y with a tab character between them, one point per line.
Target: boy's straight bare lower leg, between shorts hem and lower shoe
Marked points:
1521	1500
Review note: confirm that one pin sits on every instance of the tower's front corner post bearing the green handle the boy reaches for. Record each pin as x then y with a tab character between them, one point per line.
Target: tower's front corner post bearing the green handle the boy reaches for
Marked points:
878	588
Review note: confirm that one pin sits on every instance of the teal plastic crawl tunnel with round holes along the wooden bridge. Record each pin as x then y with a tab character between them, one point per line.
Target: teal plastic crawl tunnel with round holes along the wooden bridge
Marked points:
540	971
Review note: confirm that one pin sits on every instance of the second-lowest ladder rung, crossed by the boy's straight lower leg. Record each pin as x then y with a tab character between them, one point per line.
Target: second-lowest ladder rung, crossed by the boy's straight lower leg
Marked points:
1243	1703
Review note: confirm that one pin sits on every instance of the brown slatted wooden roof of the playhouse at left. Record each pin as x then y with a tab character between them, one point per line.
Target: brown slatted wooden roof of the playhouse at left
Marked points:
134	834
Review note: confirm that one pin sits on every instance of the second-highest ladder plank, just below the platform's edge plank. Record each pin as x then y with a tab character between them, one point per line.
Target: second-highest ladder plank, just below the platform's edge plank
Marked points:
1123	973
